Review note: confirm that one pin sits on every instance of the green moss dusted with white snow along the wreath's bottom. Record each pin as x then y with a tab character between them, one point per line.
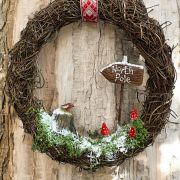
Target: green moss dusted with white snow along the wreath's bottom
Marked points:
75	146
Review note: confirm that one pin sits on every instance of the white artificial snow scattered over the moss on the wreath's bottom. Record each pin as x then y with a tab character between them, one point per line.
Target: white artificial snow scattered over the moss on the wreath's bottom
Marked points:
85	143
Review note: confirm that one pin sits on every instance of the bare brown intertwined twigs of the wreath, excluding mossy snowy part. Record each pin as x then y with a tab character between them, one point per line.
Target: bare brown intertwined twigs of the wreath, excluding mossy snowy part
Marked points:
146	34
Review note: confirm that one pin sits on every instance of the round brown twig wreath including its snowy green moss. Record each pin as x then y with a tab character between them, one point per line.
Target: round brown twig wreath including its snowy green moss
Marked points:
66	146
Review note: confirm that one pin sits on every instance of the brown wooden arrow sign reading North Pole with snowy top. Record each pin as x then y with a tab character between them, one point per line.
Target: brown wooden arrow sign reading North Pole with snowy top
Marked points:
123	72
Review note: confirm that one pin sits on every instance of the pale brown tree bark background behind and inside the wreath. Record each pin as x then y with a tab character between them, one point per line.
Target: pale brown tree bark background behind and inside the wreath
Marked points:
70	65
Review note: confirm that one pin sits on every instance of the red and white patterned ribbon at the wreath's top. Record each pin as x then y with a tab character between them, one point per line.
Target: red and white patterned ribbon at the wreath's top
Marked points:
89	10
